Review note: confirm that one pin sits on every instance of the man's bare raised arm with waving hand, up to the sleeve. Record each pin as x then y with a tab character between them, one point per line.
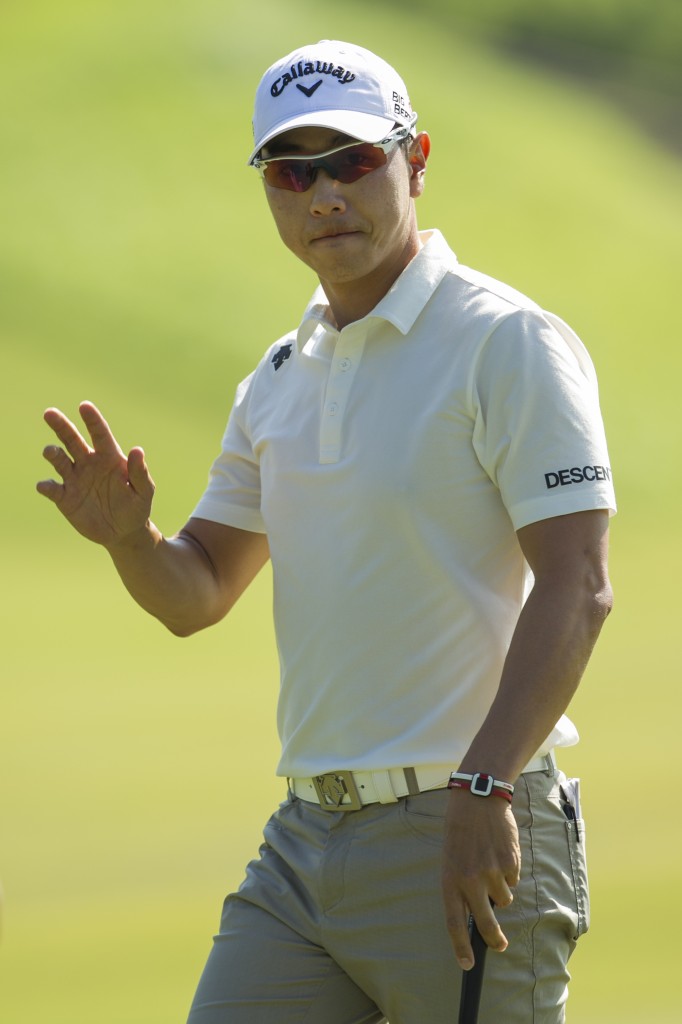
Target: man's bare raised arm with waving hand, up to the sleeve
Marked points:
189	581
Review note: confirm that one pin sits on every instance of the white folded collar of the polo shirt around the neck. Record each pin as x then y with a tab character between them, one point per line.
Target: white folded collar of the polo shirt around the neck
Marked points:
405	301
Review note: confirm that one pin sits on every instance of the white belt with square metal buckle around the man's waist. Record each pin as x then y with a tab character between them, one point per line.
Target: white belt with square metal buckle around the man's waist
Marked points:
349	791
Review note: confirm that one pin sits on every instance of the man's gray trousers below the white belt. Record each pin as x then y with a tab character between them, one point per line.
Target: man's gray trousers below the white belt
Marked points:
340	920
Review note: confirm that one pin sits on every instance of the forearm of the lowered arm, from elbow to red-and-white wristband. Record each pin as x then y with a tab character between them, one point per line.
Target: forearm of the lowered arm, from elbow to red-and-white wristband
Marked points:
551	647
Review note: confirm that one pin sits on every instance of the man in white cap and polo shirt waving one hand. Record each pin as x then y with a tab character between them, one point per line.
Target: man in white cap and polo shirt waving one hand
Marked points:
424	462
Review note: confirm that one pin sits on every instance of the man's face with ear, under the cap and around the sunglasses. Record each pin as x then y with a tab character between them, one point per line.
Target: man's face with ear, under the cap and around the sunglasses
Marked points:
348	233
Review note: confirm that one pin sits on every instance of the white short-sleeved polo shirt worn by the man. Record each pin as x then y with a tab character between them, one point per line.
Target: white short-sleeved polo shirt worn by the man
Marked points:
391	464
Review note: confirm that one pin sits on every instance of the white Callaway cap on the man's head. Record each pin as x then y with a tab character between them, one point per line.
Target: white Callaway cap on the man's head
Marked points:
331	86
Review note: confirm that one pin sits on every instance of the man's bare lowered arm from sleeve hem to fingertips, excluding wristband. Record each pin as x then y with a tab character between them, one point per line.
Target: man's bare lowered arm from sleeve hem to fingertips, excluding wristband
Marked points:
550	649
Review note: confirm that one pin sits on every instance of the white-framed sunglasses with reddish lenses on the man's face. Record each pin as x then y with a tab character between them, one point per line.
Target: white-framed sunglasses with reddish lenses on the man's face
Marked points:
347	163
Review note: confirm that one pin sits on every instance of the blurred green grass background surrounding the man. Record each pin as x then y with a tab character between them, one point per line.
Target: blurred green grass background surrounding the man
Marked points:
139	269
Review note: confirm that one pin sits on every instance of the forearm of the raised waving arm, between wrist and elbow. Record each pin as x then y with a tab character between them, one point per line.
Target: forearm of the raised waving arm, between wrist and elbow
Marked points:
173	579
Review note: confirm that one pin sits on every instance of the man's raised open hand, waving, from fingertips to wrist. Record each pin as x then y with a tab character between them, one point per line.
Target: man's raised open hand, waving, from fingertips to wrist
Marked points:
105	495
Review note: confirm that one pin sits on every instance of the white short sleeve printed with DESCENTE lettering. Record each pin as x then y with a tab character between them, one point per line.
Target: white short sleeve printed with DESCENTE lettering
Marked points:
539	432
